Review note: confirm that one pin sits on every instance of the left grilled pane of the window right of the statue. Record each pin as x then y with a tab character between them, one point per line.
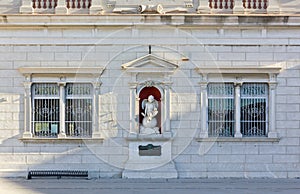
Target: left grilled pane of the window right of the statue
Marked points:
221	109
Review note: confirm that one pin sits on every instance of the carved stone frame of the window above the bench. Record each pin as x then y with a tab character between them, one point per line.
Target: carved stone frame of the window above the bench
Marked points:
61	76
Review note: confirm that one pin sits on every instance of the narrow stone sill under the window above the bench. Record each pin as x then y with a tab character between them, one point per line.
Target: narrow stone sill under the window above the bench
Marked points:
61	140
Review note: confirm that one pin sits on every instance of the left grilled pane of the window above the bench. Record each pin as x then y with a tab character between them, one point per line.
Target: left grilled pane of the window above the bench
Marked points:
45	110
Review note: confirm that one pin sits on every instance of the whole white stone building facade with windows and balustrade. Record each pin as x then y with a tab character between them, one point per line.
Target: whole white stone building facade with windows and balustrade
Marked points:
225	75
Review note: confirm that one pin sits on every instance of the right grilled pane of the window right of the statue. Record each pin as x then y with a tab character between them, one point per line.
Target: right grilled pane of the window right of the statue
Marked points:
254	100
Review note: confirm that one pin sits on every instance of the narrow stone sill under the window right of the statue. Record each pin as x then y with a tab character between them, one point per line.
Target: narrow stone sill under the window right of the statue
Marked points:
232	139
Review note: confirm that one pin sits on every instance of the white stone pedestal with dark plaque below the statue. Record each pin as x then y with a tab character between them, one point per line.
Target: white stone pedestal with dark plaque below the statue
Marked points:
150	156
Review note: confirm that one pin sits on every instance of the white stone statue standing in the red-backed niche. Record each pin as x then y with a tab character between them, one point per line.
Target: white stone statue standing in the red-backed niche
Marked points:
149	122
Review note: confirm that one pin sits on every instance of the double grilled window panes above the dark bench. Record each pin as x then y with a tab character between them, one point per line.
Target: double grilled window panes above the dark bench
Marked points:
49	101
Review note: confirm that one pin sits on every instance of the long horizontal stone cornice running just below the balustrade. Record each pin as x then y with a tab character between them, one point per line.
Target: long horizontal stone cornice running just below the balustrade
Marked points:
184	20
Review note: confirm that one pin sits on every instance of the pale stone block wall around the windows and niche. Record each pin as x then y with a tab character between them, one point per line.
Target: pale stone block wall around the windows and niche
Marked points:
270	43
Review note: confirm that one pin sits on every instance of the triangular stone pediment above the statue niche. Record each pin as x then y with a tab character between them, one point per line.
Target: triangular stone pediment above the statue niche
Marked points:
150	64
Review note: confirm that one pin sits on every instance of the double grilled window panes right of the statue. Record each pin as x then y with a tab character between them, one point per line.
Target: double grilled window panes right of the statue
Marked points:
253	116
